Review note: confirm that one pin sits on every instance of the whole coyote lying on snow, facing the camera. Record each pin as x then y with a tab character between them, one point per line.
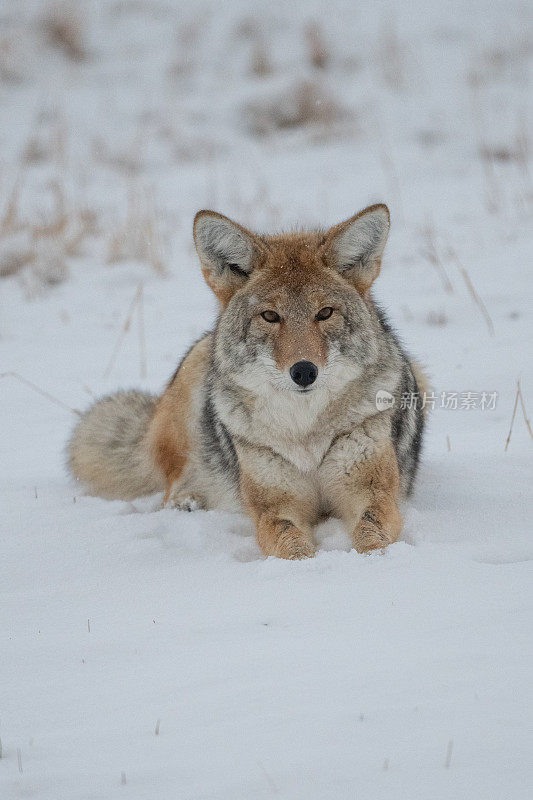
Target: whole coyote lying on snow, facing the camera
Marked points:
275	411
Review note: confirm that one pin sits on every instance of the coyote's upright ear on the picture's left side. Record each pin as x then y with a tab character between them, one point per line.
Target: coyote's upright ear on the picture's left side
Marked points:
228	252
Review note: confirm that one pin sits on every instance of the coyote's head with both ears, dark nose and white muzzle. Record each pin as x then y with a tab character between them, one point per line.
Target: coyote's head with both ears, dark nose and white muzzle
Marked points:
295	312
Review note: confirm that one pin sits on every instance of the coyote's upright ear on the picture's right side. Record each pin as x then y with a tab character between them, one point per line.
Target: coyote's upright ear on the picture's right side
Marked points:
355	247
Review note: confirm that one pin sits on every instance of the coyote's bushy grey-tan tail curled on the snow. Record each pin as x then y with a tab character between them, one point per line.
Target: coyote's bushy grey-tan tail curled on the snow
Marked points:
108	451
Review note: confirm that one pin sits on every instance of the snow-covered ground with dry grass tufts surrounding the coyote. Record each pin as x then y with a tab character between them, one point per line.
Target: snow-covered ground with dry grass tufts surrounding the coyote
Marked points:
155	654
